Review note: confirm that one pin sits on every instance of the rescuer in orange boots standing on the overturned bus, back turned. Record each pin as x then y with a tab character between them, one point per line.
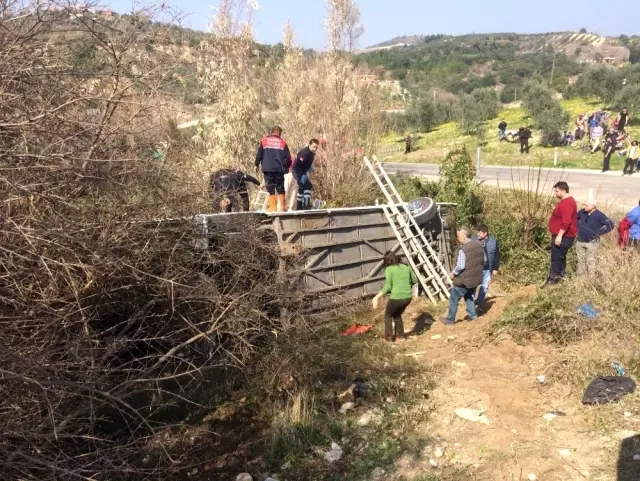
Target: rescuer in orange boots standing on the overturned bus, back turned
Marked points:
273	154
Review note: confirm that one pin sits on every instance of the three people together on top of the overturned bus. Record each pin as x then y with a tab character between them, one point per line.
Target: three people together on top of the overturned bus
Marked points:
275	161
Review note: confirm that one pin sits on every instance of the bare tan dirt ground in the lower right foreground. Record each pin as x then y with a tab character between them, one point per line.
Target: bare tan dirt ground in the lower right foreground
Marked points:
498	377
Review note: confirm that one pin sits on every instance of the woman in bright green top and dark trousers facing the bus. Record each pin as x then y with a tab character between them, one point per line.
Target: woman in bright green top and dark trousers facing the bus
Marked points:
399	279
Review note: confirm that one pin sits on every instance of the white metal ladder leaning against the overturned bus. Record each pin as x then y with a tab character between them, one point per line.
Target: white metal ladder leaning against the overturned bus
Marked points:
422	258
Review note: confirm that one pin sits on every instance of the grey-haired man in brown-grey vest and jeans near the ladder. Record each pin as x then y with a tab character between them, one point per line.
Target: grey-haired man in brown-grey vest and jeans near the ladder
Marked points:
466	275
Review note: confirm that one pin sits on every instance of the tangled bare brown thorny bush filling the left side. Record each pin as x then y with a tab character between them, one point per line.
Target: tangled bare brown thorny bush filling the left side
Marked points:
108	323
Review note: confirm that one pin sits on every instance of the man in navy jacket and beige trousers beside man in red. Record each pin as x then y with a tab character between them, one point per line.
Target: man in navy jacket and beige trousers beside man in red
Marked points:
592	224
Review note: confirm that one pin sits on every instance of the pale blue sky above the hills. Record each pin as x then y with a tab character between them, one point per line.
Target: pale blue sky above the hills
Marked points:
385	19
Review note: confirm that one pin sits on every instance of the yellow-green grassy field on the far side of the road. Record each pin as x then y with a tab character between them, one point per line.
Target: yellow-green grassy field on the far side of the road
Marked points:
431	147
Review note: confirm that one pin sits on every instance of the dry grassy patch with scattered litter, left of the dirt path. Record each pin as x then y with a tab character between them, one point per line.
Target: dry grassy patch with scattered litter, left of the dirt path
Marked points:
297	385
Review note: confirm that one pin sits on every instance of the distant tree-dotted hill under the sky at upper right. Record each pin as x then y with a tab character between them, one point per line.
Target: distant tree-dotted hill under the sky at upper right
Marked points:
460	64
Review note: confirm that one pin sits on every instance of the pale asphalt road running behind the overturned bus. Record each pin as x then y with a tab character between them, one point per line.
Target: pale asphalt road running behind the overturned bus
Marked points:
611	189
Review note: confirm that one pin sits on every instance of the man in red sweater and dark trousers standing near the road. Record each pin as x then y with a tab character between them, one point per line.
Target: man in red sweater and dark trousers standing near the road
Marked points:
563	226
